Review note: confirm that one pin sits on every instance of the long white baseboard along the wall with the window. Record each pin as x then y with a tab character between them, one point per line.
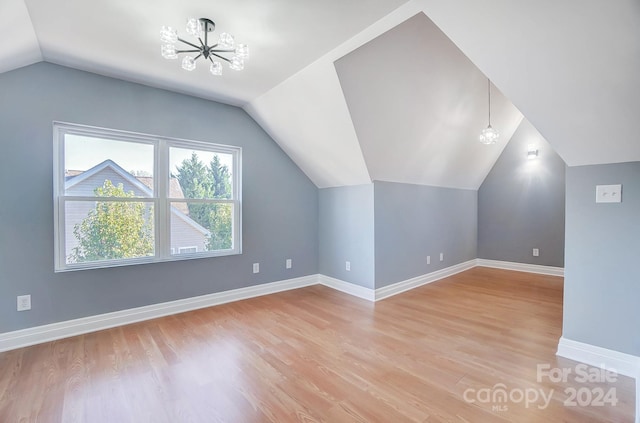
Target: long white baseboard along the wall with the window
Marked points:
51	332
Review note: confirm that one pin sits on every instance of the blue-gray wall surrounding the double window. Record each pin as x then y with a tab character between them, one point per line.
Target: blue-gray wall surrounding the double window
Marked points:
280	204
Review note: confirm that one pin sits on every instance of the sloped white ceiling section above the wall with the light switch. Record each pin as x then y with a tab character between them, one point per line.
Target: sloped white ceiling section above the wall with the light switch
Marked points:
572	67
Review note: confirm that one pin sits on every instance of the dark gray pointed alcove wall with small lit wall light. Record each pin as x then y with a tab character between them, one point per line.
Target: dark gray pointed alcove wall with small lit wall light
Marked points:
521	203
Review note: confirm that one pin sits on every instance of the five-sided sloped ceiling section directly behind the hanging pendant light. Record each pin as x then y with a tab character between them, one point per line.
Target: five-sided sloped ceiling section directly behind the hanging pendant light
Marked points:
418	104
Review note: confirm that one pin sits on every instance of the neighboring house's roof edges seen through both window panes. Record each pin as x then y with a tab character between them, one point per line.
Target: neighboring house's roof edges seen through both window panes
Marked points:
143	183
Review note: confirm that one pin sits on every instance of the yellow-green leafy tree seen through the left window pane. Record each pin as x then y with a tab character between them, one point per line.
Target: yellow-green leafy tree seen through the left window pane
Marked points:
114	229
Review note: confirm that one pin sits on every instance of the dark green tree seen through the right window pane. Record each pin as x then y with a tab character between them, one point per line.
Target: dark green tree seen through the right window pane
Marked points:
211	182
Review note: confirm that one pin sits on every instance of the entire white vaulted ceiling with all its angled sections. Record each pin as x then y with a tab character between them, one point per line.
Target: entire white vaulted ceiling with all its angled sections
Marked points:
364	90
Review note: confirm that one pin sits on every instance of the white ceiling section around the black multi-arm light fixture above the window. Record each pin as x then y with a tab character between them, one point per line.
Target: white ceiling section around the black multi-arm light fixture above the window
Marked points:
121	38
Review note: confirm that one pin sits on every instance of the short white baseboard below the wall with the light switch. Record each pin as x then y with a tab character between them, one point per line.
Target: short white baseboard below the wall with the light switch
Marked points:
623	364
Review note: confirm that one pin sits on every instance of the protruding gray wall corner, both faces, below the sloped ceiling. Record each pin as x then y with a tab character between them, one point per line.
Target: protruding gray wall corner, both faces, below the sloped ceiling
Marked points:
386	231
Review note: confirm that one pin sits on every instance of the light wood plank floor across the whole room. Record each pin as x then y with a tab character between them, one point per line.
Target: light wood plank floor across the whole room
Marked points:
315	354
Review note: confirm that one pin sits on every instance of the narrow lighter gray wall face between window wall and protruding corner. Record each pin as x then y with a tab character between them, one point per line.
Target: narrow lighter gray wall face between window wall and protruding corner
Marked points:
347	234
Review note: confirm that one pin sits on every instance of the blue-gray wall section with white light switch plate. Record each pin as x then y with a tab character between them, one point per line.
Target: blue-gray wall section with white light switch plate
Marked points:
602	280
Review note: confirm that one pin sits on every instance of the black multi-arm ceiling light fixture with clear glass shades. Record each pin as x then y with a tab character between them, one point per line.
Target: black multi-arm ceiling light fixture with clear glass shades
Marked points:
200	28
